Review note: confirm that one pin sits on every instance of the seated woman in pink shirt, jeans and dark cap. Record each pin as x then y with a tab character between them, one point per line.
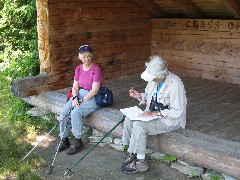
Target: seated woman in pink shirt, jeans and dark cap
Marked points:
87	81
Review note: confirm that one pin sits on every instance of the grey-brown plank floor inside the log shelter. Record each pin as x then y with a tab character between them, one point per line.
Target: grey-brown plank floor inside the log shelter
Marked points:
213	107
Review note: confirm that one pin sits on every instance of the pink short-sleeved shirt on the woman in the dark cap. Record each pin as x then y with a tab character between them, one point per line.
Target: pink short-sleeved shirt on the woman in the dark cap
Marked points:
86	78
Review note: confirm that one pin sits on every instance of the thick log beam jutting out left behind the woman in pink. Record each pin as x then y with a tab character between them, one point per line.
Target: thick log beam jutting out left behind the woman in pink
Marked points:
34	85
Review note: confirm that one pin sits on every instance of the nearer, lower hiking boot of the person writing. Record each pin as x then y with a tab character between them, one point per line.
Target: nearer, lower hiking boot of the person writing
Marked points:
134	167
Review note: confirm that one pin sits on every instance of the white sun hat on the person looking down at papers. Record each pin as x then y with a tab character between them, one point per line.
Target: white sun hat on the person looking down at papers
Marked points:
155	68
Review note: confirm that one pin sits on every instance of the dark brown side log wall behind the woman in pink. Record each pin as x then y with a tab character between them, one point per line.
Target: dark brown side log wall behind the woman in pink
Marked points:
118	31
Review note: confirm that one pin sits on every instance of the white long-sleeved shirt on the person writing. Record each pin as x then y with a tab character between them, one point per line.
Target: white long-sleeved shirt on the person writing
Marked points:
173	94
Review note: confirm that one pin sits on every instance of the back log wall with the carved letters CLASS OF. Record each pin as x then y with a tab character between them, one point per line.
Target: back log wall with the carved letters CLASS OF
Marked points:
205	48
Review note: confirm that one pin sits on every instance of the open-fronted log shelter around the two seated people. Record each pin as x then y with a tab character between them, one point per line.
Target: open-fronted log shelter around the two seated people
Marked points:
200	40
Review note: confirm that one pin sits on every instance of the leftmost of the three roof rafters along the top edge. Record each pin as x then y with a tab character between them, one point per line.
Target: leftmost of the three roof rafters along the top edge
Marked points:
152	8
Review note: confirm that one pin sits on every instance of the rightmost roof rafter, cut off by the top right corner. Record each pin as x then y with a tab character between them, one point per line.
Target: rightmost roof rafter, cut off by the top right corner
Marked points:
233	6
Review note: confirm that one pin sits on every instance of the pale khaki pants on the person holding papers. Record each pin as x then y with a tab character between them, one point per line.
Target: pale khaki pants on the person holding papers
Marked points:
135	133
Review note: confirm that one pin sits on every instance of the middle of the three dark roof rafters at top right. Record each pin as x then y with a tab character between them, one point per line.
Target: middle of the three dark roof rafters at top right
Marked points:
189	8
